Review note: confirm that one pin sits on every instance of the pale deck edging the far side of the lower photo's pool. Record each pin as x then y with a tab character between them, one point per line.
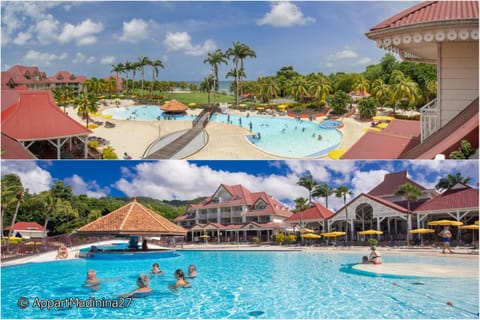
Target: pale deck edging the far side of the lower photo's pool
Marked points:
399	269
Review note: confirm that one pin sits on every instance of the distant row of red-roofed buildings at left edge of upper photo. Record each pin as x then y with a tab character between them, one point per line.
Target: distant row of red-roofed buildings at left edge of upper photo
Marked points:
32	78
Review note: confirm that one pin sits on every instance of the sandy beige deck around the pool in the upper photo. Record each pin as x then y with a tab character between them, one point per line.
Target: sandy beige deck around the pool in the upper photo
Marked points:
224	141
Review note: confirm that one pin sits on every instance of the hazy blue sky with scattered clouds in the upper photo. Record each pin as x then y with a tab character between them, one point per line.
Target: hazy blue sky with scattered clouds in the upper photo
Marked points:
86	37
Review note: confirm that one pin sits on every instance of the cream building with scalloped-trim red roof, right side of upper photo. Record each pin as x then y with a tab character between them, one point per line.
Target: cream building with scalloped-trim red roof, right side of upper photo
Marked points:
444	33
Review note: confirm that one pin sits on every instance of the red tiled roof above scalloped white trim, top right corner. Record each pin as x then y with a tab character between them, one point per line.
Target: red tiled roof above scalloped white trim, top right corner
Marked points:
431	11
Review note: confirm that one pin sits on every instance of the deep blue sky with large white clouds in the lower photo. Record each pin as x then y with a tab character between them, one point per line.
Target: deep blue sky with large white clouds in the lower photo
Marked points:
185	180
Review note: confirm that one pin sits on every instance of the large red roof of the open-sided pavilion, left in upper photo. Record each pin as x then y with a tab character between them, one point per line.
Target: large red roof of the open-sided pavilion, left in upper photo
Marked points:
35	116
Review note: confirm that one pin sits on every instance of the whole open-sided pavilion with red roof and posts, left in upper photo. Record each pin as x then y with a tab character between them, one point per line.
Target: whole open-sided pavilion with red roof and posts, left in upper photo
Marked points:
33	120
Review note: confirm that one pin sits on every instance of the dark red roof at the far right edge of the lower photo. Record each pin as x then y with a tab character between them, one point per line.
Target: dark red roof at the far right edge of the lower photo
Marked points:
458	197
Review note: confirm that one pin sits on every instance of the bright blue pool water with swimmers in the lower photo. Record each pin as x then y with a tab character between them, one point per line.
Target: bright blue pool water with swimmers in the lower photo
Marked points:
248	284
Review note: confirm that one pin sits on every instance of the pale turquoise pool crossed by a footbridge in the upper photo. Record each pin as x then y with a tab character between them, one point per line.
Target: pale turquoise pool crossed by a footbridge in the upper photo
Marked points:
279	136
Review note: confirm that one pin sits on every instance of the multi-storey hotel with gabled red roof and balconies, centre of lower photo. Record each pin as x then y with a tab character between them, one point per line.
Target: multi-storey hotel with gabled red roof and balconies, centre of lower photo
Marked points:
234	212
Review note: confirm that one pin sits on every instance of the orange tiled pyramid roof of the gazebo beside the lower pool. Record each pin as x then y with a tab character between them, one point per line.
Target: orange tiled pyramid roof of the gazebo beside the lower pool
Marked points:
132	219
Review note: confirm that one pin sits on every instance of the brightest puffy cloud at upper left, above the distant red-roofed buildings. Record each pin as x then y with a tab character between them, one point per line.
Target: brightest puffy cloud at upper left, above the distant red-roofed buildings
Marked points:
82	34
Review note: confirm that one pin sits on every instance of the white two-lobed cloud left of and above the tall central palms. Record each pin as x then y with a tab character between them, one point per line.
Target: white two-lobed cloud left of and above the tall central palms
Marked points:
182	41
